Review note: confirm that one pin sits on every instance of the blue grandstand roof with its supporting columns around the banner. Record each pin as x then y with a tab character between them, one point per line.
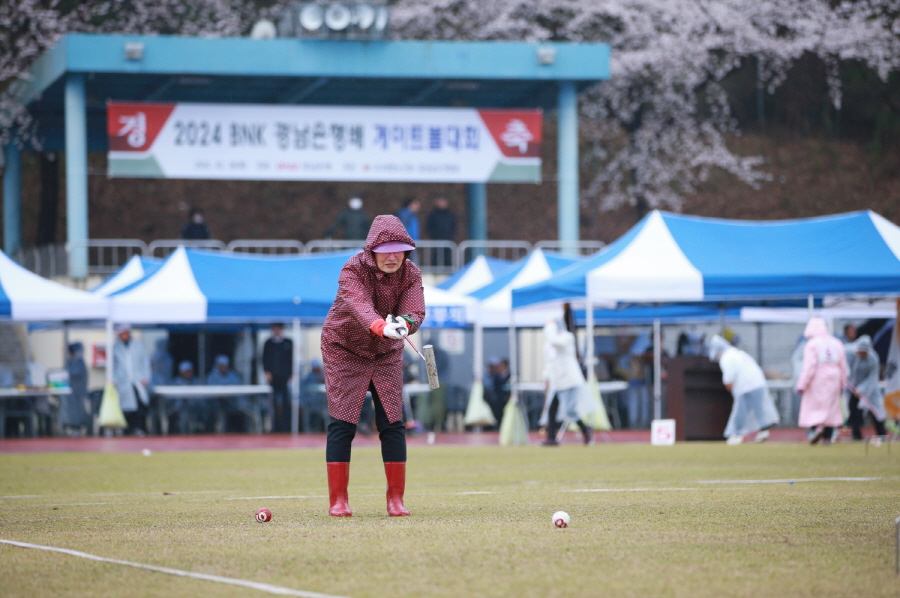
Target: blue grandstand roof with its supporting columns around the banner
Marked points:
72	83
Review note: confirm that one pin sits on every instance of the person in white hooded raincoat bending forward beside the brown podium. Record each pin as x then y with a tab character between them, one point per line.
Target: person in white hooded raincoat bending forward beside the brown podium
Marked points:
753	409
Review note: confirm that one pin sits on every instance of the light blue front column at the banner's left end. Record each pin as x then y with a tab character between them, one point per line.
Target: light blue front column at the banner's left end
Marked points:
76	173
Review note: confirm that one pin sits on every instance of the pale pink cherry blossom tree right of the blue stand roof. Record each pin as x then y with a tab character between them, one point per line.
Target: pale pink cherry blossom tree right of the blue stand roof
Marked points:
659	125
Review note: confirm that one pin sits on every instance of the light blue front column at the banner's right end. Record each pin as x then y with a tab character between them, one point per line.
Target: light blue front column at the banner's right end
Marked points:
567	158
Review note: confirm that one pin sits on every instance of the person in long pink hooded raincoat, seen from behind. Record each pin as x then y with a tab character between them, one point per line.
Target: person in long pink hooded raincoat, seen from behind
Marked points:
822	380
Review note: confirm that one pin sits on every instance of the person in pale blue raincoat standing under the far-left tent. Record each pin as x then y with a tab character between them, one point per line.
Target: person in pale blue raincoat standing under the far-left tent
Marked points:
131	375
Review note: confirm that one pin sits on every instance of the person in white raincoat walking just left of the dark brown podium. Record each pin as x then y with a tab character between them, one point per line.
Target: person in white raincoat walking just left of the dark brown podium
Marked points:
564	384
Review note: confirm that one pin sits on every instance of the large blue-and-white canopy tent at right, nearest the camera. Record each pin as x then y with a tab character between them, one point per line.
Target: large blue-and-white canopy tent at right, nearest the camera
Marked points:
671	258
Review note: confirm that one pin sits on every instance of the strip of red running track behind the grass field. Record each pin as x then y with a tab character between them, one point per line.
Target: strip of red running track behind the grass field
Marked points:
204	442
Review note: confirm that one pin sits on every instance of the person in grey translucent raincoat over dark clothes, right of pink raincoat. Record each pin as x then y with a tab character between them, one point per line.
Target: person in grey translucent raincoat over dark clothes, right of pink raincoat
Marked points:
863	366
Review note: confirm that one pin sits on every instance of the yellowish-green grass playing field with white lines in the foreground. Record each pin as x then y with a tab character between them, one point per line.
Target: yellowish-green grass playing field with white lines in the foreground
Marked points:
646	521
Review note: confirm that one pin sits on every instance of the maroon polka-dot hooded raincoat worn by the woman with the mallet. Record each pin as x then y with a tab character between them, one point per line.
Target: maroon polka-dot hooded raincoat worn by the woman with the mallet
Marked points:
352	354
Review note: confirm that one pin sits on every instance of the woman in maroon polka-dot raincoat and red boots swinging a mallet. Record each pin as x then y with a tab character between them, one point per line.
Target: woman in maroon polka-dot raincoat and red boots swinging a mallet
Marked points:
380	300
